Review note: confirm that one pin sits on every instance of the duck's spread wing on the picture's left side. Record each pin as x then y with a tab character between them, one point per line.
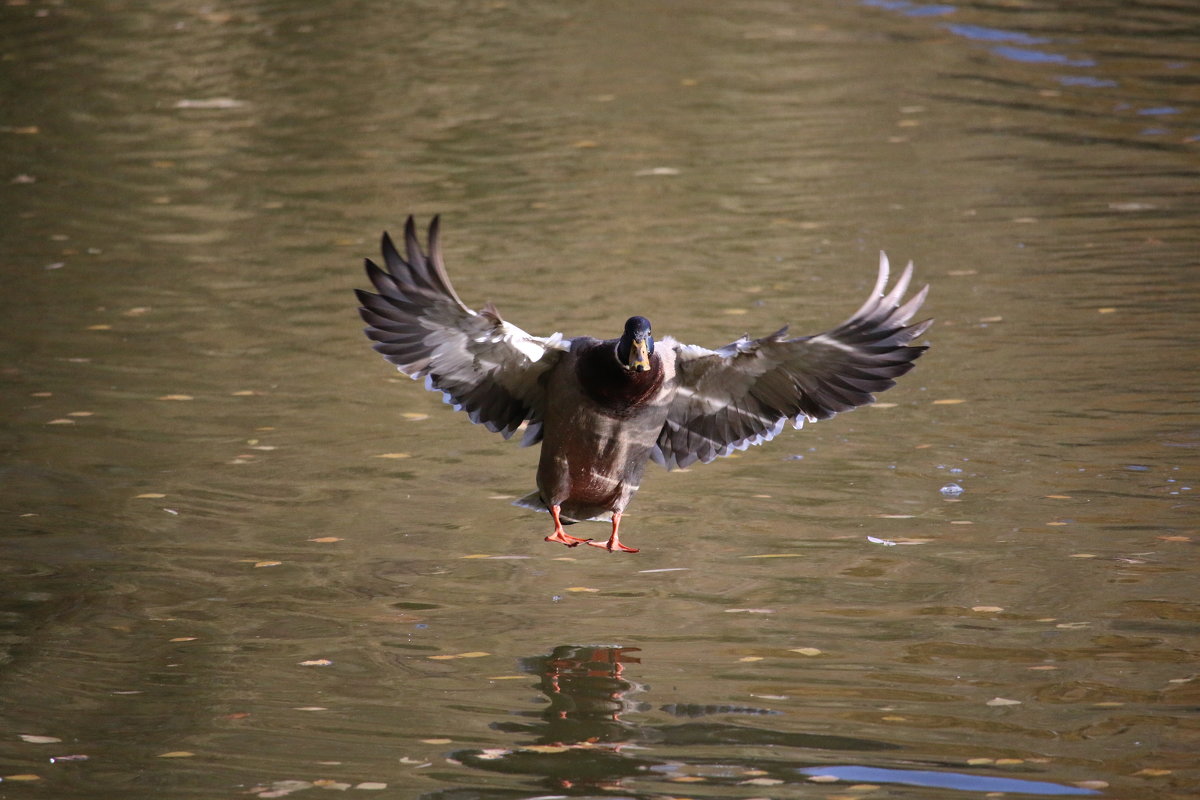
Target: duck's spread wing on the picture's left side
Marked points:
481	364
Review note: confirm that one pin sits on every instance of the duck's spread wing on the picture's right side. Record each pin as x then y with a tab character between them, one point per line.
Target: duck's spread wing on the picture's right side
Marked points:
745	393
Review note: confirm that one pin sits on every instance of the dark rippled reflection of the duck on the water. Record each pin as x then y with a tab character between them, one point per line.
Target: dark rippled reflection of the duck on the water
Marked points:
584	741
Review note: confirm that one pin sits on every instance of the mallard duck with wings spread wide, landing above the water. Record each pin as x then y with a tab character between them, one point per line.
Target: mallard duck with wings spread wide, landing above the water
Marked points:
603	408
